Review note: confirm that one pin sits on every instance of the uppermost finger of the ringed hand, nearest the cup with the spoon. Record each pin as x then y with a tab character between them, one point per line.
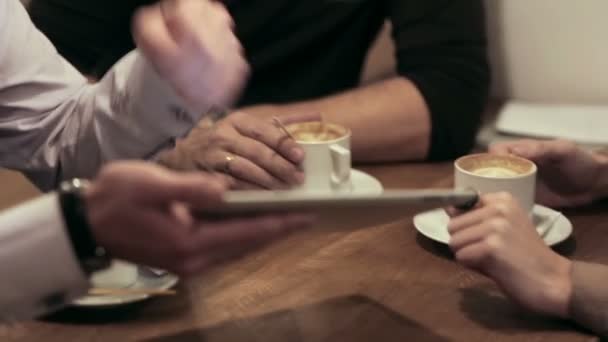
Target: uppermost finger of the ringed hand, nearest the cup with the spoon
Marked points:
270	135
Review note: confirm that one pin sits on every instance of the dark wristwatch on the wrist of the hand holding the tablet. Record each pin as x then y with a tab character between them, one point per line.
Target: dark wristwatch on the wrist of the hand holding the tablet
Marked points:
91	256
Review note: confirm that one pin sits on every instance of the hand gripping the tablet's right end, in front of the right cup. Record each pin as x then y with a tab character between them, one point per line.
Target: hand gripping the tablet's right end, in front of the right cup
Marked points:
499	240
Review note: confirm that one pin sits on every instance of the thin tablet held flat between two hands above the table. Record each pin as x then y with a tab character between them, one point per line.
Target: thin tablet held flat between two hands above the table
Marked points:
342	211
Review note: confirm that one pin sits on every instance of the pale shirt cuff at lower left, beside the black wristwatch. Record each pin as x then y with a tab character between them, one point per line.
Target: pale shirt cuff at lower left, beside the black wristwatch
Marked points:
38	268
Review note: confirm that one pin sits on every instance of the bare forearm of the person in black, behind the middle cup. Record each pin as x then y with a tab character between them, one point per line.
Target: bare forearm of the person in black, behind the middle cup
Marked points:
389	119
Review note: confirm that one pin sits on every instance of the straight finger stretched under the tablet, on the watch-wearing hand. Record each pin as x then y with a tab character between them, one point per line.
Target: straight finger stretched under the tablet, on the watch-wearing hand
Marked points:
240	231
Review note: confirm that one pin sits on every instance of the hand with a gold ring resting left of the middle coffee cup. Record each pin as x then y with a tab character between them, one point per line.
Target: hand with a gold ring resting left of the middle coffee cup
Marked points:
253	153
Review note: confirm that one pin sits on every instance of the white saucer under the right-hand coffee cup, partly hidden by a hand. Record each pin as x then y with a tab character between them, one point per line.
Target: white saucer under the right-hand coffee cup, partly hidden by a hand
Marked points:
551	225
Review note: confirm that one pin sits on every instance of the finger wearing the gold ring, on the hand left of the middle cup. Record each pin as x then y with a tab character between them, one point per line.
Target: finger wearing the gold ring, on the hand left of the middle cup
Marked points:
243	169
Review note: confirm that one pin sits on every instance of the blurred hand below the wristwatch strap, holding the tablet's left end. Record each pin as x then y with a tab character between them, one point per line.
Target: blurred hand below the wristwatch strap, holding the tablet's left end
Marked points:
142	213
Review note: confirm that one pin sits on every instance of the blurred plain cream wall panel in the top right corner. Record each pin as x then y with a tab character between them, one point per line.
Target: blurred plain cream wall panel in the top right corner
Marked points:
550	51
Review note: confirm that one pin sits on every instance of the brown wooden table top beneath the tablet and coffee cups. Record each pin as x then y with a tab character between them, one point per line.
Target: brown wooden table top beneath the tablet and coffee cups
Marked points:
385	283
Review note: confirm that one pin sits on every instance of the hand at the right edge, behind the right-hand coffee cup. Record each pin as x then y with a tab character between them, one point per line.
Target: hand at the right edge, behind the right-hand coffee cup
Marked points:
567	175
